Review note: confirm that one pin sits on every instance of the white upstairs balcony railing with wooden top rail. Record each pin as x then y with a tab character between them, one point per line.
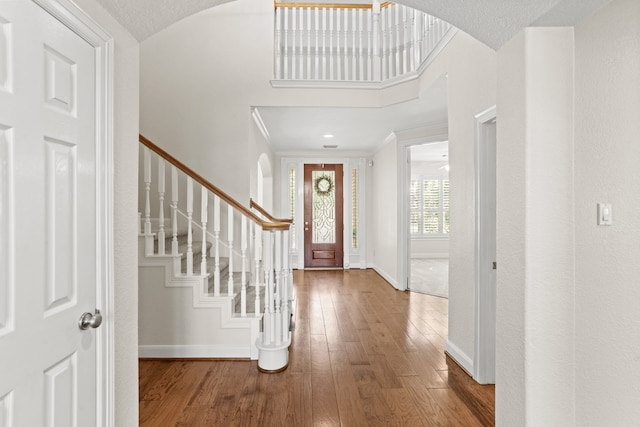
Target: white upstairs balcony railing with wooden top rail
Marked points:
353	42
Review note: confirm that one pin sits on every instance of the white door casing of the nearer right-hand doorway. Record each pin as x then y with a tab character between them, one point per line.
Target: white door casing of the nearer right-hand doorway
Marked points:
485	294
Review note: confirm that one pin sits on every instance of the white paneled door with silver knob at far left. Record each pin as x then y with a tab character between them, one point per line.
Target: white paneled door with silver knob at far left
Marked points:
49	252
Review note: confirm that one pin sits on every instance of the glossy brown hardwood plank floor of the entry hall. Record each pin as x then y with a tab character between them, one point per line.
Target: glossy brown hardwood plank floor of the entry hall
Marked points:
363	354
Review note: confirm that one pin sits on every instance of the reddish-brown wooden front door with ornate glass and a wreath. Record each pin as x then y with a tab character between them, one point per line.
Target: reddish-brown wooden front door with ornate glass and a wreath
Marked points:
323	228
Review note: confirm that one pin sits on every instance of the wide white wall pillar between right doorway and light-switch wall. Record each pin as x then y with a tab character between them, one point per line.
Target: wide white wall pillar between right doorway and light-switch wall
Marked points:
535	289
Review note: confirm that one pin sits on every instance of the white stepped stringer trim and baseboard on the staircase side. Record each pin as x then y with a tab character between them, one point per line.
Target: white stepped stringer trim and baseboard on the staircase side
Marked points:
200	299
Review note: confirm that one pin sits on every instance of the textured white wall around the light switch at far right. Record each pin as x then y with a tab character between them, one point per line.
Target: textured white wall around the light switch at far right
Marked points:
607	151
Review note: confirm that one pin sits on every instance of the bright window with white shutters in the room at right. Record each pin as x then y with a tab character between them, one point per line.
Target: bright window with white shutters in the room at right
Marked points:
429	207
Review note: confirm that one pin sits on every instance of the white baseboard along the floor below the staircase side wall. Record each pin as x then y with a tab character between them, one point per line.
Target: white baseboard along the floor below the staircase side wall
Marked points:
193	351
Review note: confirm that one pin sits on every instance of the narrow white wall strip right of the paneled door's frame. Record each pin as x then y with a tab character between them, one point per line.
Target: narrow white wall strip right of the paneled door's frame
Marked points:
125	155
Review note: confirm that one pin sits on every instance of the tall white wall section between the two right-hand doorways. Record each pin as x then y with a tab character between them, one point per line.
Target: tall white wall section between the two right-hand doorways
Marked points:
471	72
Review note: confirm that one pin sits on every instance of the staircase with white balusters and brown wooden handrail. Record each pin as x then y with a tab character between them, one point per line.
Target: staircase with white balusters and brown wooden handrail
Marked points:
214	276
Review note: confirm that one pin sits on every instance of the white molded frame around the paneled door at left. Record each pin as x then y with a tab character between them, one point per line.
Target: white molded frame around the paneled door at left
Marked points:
69	14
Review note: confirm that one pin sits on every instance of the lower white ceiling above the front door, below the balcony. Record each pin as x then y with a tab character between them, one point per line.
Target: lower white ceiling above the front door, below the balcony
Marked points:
360	130
